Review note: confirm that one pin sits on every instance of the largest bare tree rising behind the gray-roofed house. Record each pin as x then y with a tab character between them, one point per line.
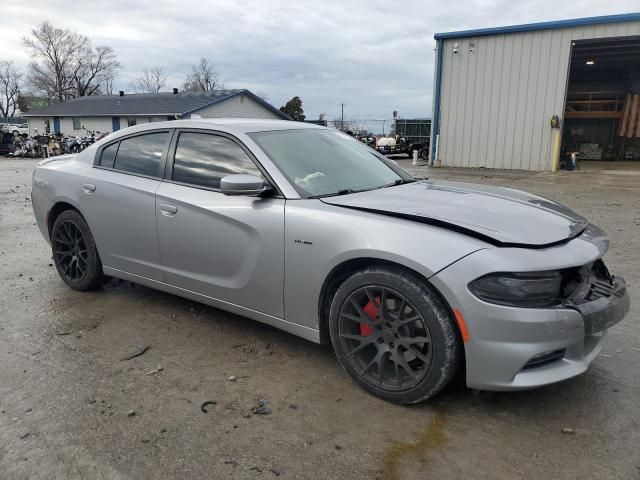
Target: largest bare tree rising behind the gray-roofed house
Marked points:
66	65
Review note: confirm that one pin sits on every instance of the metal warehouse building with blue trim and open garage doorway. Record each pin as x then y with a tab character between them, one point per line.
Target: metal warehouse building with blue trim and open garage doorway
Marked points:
527	96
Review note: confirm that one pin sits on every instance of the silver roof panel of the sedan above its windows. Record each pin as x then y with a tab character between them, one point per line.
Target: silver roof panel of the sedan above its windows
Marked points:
230	125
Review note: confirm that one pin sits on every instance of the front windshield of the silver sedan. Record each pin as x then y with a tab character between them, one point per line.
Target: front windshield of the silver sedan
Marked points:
322	162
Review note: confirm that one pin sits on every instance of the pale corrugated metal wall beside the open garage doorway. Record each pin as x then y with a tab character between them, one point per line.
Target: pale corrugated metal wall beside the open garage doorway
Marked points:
499	93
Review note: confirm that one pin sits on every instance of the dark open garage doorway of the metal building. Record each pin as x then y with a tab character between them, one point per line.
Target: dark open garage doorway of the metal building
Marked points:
602	109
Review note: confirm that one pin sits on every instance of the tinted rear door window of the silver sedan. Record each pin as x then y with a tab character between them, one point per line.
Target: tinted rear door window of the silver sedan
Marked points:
142	154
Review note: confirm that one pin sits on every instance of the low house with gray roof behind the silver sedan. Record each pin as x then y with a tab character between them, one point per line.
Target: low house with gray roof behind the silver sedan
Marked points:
108	113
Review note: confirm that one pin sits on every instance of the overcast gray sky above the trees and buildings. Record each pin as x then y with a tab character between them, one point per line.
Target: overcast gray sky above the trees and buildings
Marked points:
375	56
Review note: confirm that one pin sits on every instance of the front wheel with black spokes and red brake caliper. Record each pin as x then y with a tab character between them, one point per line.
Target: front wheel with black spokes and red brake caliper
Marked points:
439	356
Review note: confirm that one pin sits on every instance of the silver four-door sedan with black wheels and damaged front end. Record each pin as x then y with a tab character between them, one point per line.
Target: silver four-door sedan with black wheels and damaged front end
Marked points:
310	231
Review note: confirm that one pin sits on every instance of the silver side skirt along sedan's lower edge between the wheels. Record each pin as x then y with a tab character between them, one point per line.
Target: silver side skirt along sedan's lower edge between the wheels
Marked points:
298	330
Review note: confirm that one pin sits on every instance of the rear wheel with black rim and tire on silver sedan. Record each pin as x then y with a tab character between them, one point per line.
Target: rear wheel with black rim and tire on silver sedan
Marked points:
74	252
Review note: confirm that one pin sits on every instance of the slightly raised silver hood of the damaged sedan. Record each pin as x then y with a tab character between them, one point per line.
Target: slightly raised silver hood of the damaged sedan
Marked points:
501	216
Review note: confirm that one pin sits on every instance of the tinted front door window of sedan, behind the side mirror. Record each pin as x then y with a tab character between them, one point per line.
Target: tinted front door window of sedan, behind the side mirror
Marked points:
203	159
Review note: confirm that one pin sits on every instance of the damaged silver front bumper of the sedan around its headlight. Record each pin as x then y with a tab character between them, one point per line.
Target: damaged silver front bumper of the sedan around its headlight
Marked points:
505	342
